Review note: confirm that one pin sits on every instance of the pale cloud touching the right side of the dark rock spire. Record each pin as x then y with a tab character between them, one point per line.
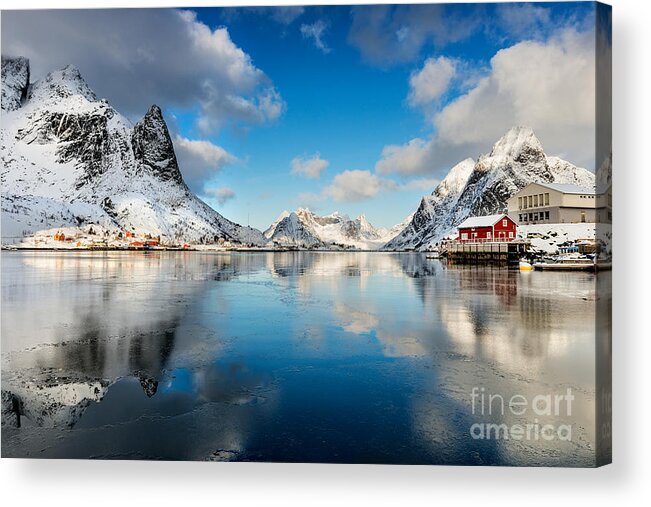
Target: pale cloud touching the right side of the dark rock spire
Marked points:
199	160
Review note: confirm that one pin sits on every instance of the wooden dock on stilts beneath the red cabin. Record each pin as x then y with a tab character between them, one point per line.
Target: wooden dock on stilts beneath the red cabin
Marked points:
502	253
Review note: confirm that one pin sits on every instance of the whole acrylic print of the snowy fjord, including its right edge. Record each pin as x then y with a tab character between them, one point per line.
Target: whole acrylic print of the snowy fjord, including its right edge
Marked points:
338	234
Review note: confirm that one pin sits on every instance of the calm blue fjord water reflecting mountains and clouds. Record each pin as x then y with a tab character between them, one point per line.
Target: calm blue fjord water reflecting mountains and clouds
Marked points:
294	356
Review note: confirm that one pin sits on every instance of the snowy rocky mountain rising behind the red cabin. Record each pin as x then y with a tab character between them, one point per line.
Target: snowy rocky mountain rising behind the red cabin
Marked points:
482	188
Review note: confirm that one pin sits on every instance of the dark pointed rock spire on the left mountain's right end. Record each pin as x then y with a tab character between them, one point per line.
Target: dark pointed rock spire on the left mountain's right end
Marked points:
153	148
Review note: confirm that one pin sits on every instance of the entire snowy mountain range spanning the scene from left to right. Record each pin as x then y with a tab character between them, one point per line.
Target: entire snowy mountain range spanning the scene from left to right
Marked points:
70	159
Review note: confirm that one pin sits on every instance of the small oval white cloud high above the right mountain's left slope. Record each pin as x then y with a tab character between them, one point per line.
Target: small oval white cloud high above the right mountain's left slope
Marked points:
430	82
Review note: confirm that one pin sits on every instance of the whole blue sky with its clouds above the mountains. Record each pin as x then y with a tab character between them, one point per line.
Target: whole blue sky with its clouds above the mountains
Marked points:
355	109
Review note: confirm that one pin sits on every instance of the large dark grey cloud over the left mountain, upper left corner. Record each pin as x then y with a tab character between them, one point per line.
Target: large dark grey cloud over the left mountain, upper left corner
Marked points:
136	57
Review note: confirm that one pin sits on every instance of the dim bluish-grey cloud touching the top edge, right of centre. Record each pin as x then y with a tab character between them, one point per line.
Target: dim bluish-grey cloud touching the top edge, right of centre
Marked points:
391	34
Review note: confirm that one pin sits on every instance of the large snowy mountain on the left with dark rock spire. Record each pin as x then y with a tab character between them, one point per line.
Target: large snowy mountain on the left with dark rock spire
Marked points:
70	159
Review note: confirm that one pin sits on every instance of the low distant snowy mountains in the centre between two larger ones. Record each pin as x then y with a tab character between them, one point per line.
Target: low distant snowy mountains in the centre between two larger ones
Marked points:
302	228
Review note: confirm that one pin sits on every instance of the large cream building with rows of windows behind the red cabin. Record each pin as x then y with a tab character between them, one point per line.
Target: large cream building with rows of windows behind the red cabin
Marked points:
557	203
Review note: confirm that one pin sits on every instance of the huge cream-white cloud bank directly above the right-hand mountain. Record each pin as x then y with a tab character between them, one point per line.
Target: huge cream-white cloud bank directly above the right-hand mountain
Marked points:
548	85
